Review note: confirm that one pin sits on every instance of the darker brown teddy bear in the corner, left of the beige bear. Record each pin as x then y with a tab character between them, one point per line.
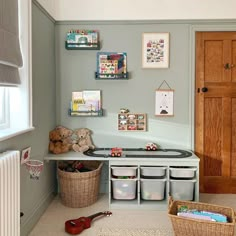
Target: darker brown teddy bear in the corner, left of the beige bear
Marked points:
60	140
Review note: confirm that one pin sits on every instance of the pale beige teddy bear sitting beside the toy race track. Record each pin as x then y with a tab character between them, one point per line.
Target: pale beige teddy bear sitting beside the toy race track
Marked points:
84	141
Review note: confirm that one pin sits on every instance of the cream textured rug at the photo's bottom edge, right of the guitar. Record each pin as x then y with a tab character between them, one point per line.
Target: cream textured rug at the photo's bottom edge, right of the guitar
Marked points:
134	232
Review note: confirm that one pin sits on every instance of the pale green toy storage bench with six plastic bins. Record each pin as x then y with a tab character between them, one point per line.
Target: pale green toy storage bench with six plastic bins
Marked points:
145	182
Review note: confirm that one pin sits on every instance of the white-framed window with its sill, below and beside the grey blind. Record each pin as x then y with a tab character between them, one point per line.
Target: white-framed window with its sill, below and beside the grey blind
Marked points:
15	102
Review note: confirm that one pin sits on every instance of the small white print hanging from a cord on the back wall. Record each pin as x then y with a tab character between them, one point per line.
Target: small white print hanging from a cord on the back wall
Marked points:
164	104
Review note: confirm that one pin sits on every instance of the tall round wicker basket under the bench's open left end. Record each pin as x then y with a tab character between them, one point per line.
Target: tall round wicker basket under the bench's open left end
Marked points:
80	189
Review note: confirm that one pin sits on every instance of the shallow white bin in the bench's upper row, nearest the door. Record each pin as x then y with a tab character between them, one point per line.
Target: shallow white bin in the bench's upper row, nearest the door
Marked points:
182	172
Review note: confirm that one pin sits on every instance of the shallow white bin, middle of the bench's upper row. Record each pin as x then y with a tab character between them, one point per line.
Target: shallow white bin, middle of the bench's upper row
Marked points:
153	171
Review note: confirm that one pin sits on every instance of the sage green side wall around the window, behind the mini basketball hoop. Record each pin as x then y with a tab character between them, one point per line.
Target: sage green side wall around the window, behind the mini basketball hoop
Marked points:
36	195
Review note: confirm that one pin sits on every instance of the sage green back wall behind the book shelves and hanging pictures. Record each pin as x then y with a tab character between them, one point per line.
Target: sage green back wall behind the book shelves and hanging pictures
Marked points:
76	68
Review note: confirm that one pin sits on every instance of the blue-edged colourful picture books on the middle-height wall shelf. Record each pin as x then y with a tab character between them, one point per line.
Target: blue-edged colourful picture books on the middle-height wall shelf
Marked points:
111	64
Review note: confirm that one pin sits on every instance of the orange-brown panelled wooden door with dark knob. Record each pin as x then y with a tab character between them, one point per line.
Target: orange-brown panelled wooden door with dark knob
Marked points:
215	111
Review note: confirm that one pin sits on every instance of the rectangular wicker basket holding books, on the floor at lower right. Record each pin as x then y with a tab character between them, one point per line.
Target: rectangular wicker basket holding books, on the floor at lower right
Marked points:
195	227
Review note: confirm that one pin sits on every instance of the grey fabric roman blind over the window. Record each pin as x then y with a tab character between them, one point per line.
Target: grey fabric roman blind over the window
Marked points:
10	53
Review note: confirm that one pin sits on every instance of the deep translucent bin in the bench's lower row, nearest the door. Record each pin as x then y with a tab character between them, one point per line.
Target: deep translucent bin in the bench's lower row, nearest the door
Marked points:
182	189
